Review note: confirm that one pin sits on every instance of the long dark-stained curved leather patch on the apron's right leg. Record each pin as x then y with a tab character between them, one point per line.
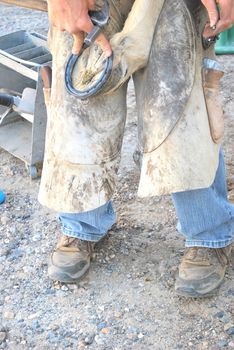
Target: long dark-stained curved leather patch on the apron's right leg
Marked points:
167	83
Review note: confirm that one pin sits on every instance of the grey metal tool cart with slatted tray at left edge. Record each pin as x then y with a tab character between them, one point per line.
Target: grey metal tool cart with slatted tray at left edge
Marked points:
22	129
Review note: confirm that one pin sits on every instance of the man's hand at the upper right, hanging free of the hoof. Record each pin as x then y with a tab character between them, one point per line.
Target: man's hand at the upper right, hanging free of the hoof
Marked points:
219	21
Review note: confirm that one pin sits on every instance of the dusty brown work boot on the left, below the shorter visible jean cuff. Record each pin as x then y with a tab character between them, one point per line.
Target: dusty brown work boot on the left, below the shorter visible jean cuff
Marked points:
70	260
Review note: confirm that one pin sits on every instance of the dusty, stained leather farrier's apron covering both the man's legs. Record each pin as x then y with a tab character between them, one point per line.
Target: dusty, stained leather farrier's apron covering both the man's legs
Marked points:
179	139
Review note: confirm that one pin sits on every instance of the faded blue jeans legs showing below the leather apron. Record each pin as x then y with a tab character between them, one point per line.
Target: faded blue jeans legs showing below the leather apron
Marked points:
206	218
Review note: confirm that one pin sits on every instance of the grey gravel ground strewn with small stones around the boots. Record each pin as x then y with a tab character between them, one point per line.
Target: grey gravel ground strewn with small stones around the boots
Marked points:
127	301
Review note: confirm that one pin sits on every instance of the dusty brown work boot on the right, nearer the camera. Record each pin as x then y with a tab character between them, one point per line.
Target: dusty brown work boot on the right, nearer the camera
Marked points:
202	271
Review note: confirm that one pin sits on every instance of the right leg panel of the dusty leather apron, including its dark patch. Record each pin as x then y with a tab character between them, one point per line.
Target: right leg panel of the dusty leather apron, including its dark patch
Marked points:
178	152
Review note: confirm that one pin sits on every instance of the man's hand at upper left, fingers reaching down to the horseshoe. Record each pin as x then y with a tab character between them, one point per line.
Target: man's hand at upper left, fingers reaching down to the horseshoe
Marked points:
72	16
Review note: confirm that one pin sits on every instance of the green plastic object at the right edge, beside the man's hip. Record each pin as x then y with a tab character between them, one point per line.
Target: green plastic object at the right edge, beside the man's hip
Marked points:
225	44
